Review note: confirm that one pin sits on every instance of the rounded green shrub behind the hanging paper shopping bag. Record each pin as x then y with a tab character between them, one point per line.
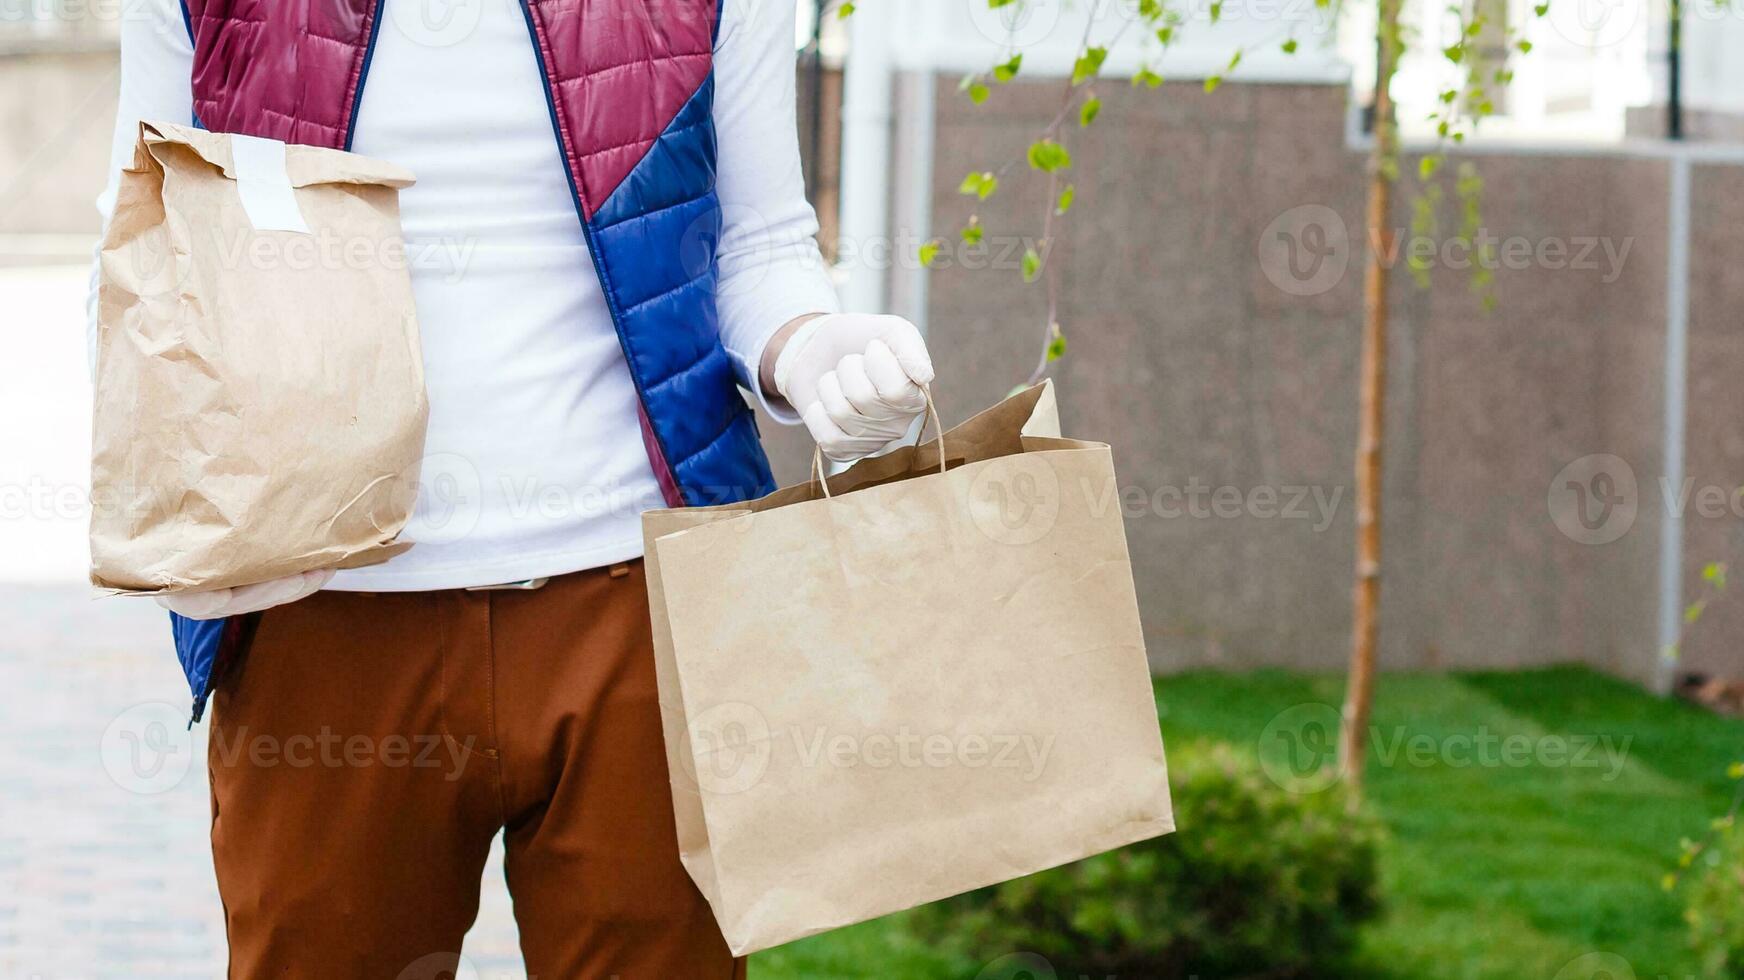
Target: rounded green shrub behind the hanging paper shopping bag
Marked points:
1258	881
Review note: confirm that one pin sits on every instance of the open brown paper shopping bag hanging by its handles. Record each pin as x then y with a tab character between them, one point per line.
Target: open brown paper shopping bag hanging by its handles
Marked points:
920	686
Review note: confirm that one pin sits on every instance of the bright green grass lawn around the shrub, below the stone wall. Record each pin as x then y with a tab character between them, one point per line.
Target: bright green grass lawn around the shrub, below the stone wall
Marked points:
1495	868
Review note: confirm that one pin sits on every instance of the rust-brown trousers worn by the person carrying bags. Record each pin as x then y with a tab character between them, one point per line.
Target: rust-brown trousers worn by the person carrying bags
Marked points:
367	749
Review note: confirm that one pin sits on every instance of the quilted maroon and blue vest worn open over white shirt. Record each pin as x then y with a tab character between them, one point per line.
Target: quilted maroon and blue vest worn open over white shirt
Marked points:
630	90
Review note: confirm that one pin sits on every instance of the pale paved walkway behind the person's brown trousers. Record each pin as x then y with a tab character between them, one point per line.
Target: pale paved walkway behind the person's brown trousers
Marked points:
106	868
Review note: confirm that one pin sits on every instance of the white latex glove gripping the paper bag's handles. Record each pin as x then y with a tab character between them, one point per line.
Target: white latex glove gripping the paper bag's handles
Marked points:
855	381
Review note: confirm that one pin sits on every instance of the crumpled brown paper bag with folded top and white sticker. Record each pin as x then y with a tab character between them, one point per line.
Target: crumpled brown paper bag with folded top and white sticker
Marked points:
259	388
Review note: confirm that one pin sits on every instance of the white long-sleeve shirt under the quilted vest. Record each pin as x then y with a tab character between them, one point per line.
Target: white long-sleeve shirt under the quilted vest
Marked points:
535	463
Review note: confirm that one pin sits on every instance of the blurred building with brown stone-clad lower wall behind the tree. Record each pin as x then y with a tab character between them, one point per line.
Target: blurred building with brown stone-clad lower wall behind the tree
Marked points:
1206	365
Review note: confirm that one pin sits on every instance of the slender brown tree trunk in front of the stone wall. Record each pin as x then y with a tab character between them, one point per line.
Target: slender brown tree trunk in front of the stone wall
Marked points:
1366	601
